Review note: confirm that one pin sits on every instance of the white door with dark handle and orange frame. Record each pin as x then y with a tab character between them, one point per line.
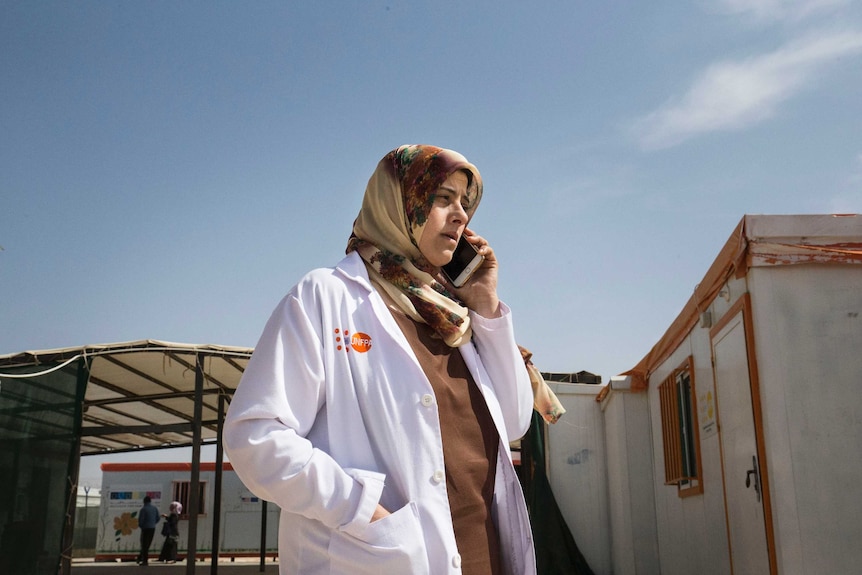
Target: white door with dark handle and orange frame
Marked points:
743	489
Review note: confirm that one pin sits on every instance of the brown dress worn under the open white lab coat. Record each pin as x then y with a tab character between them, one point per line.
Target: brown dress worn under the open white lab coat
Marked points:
470	444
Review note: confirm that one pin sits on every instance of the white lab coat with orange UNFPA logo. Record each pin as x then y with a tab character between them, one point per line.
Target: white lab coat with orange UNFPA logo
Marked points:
334	414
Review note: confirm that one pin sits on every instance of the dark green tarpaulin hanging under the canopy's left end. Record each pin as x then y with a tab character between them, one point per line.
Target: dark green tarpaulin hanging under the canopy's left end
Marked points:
39	435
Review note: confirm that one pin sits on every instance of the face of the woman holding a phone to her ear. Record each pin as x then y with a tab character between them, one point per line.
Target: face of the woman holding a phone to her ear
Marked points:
446	220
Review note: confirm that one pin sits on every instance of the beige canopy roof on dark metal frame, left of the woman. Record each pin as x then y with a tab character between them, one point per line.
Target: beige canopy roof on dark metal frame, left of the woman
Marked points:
140	395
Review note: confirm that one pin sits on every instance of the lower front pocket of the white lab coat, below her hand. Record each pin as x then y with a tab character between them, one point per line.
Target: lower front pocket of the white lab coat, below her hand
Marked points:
394	544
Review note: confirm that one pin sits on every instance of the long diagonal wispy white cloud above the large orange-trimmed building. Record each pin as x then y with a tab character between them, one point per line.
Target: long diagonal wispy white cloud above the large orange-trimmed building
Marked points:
734	95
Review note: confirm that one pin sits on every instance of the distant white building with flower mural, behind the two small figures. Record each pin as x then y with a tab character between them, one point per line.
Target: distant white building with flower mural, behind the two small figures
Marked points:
124	486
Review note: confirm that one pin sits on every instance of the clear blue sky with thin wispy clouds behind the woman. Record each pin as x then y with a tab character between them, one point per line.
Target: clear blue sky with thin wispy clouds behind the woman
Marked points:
169	170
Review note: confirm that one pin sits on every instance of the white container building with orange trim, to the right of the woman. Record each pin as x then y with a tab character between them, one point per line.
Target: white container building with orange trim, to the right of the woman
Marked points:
735	445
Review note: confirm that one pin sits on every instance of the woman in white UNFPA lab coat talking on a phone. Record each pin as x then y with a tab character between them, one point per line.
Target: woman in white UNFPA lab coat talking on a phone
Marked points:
378	405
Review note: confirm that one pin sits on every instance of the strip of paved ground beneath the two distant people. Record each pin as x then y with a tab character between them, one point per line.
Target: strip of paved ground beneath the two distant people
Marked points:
242	566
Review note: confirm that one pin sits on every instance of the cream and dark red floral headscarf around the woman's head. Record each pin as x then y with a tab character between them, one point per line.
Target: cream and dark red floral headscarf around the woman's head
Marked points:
387	231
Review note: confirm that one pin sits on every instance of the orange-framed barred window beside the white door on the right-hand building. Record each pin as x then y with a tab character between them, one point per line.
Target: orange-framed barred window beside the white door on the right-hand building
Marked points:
680	431
